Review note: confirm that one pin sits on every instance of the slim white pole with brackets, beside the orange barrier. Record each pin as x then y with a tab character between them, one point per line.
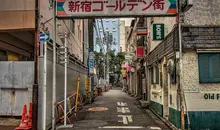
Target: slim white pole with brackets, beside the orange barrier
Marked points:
65	78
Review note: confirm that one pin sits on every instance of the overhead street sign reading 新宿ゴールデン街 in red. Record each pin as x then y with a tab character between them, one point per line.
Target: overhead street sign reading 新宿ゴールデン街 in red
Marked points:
105	8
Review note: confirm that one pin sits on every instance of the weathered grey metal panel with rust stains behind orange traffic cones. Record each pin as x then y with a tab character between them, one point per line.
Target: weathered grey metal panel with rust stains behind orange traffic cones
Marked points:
16	81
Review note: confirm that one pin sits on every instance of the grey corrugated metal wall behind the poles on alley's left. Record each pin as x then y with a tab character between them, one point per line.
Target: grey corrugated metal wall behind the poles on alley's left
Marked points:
74	70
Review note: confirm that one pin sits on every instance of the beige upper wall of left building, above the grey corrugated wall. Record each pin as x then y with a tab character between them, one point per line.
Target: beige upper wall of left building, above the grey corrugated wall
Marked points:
75	40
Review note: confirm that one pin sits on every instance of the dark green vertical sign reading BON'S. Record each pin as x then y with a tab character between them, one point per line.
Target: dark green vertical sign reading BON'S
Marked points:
158	31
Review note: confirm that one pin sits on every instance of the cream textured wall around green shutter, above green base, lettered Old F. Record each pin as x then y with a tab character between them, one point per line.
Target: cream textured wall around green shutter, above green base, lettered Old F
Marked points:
194	91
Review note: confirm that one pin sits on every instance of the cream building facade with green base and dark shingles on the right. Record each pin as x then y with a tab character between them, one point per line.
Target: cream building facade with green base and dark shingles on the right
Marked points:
197	80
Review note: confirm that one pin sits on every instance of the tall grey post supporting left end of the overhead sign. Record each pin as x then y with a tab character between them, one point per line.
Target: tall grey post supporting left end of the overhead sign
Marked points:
54	67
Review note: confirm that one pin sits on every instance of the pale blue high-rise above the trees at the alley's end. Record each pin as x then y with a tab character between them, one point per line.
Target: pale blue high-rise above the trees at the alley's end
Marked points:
111	28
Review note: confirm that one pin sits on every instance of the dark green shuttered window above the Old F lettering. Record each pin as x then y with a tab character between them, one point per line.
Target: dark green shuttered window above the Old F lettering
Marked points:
209	67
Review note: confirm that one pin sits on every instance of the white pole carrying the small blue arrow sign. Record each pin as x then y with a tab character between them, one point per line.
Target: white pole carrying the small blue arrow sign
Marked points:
45	87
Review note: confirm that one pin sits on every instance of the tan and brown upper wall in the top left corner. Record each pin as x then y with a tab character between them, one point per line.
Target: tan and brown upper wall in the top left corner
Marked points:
17	15
